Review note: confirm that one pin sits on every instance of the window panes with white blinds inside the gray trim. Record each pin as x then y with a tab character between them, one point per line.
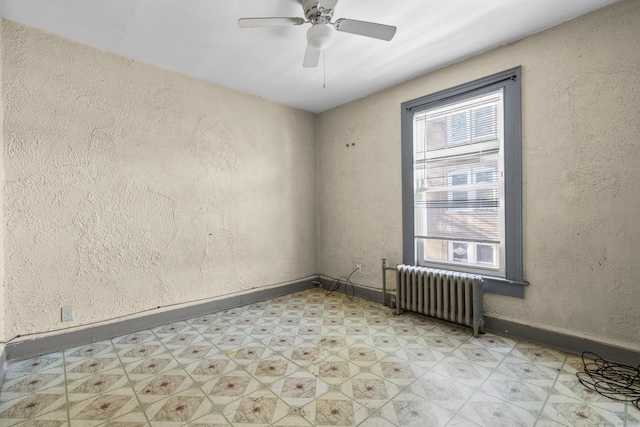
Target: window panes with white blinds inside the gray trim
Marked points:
458	183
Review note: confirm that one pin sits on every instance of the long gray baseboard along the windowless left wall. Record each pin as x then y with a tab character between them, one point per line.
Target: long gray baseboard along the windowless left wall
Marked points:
27	349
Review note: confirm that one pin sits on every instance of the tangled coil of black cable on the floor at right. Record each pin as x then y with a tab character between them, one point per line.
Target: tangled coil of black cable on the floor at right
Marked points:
612	380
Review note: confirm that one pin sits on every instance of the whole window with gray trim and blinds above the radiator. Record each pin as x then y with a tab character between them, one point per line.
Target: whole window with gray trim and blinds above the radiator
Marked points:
461	161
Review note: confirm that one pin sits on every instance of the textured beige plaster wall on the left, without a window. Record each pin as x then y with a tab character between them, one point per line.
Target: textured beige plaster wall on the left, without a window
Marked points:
129	187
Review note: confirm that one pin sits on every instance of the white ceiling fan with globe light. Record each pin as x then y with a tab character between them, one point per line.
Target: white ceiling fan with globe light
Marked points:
320	35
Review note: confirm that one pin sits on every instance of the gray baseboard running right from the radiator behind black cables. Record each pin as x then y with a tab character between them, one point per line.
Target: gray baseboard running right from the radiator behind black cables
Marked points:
565	342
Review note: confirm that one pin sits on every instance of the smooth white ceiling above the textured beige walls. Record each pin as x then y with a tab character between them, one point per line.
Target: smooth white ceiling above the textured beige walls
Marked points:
201	38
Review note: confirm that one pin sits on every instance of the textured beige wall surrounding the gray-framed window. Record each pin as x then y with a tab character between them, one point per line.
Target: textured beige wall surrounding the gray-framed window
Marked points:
581	124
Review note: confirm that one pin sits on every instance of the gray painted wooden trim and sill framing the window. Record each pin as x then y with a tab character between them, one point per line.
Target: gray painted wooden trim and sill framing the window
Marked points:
513	284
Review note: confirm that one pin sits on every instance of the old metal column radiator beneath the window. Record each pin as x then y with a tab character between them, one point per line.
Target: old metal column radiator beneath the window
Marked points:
455	297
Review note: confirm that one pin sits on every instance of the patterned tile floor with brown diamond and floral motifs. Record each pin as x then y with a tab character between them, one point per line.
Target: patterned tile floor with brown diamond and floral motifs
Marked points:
306	359
